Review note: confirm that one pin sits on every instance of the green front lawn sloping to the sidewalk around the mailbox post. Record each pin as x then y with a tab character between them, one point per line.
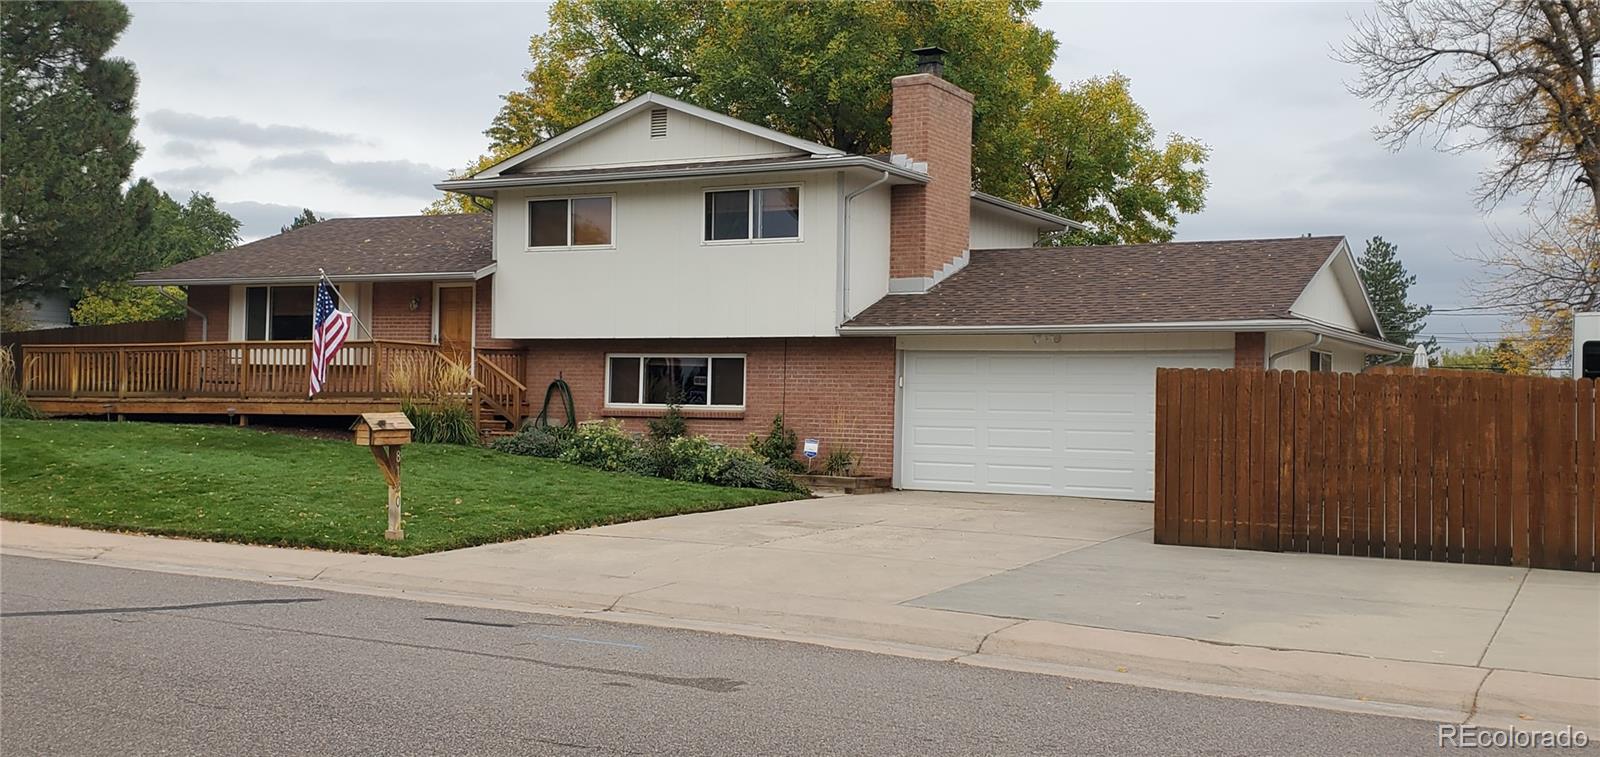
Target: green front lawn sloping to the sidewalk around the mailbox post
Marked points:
226	484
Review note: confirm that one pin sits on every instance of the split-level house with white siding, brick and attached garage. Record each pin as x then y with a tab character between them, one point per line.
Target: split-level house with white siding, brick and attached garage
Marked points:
668	254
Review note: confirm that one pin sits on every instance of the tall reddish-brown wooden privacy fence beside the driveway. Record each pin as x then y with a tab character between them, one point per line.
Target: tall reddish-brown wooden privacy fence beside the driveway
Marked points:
1471	468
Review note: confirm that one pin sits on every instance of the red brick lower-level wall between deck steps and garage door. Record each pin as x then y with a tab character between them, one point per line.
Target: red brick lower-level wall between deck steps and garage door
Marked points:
836	390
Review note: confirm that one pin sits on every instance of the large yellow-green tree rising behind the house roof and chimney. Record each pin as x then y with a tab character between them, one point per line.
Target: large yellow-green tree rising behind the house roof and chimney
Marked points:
822	71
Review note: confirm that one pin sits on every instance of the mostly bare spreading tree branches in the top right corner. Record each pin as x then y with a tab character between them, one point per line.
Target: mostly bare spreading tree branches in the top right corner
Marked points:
1511	76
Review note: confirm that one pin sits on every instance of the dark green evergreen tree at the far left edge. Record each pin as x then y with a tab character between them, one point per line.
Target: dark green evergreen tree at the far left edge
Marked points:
66	126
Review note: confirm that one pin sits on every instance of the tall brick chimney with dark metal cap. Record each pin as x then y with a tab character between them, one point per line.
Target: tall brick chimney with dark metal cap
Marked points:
929	225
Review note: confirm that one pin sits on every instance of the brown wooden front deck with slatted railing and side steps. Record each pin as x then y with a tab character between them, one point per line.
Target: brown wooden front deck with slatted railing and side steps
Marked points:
252	378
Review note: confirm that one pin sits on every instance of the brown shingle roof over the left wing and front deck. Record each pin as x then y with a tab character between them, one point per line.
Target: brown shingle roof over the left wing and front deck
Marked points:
350	247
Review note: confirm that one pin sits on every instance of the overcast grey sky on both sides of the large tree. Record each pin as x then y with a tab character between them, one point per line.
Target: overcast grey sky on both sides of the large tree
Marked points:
358	110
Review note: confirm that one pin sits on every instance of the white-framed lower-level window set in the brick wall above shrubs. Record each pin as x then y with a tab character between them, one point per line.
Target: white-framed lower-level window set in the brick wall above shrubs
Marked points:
706	382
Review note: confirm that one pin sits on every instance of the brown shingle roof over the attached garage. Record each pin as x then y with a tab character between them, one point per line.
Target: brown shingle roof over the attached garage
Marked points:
1114	284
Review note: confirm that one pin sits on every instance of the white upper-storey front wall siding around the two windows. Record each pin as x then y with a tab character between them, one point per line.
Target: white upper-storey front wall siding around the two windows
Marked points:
660	279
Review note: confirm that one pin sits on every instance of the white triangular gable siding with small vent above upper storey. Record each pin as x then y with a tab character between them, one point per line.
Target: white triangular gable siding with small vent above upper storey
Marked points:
689	140
